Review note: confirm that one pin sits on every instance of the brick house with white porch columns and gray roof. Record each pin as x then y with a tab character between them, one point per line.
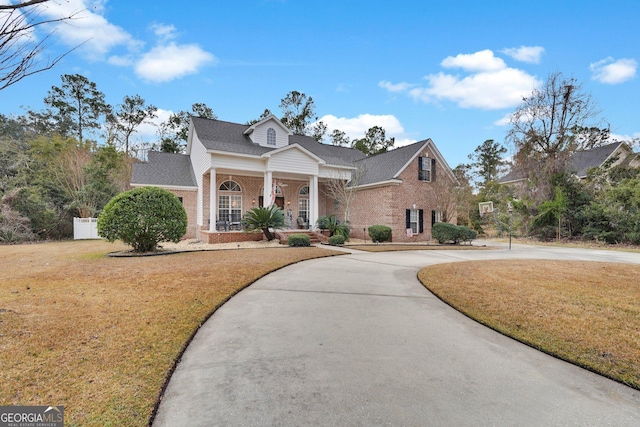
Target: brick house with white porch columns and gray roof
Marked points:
230	168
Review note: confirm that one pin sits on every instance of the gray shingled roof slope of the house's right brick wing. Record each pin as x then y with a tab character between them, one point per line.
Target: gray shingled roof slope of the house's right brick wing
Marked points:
385	166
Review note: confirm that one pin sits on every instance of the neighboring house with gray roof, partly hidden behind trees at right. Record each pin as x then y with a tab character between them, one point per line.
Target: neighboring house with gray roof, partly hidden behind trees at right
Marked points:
614	154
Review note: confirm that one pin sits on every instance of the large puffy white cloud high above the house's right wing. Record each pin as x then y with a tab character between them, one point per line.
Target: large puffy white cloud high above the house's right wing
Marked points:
490	83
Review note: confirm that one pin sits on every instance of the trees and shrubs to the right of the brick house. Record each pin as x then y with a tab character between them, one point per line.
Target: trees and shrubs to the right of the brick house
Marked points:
549	202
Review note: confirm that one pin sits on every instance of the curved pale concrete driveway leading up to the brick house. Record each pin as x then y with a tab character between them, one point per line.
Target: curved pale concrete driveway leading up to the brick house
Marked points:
356	340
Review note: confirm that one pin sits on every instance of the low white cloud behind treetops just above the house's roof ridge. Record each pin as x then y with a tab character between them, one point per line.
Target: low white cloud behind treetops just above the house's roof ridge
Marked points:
356	127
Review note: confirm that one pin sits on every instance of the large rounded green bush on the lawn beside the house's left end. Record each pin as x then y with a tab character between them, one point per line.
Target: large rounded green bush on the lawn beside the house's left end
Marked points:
142	218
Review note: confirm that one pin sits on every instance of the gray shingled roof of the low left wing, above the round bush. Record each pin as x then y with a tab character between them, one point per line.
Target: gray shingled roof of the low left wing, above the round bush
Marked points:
164	169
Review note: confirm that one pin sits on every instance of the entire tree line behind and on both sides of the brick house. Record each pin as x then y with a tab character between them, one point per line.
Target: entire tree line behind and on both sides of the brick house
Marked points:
72	157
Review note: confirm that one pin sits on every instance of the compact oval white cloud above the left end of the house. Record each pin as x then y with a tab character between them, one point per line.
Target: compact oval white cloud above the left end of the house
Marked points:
172	61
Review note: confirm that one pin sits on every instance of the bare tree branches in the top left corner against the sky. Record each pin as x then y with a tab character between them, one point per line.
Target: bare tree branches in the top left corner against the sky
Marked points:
20	51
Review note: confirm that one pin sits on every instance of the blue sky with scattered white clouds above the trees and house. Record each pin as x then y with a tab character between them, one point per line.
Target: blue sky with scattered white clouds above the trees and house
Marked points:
451	71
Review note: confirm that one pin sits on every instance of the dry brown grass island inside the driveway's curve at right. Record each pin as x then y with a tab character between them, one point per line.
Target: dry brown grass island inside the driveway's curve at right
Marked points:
584	312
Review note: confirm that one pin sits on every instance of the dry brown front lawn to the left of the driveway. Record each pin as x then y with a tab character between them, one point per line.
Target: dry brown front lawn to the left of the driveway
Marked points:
98	334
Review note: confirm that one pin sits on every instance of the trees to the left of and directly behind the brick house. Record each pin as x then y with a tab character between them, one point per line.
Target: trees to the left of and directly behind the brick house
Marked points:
70	158
